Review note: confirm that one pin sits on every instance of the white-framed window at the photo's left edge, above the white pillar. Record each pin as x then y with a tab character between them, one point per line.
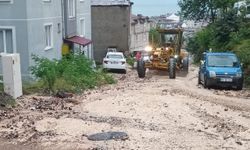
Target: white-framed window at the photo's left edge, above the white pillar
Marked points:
7	44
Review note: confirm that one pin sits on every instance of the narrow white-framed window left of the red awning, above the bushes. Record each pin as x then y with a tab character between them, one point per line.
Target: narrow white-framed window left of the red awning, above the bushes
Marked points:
48	36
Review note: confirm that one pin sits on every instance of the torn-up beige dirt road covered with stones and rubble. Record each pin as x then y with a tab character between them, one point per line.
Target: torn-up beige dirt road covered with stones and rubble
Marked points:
157	114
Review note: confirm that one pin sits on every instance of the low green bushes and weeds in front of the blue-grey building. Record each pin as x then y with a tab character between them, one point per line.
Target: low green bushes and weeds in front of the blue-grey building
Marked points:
73	73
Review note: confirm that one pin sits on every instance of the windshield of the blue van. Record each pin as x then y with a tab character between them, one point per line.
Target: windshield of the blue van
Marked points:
222	61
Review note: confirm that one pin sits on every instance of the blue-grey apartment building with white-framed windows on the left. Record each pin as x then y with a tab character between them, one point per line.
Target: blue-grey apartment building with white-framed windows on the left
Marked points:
38	27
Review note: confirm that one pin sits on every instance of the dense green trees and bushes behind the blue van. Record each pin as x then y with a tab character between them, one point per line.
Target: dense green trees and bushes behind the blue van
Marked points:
228	29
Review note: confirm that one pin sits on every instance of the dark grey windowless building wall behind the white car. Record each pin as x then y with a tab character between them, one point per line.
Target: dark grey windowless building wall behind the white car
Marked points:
110	28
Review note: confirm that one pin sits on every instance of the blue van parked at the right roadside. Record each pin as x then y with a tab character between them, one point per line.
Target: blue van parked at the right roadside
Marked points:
220	69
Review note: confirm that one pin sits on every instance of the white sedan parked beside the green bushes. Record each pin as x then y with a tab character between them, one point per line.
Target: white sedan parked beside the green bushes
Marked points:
115	61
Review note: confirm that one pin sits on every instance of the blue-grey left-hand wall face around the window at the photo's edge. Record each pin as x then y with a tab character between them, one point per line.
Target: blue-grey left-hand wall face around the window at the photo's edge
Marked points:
15	15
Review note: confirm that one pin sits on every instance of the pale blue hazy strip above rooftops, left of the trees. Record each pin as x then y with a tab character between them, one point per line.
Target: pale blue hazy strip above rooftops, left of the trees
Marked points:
154	7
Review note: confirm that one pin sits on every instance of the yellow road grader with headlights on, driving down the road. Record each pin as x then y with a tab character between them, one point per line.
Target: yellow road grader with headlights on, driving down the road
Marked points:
169	56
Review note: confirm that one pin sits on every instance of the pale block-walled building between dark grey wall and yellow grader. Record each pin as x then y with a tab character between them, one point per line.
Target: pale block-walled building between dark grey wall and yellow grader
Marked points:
139	33
